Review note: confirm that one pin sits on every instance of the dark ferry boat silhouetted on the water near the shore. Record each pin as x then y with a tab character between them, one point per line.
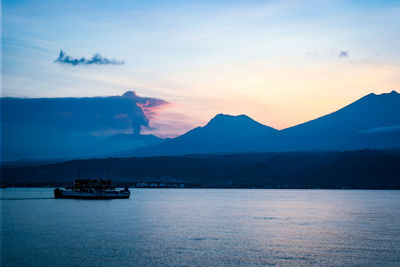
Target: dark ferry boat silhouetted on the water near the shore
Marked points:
91	189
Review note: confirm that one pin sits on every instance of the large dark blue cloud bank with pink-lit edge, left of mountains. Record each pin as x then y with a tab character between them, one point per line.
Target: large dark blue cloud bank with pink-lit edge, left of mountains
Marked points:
45	125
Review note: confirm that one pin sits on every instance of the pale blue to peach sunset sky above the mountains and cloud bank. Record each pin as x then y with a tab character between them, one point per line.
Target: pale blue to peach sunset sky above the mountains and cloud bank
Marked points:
280	62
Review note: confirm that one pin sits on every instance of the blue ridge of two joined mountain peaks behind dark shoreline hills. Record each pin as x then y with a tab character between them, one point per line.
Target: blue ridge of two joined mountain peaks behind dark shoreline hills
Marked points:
370	122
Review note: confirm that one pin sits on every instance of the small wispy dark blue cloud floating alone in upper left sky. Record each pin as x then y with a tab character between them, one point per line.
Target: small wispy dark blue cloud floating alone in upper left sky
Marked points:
95	59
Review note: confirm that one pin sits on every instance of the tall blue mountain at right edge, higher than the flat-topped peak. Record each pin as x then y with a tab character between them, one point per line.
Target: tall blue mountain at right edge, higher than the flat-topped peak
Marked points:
370	122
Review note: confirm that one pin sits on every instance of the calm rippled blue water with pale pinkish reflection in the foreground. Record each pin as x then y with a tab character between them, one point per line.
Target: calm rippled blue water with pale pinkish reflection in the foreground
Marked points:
202	227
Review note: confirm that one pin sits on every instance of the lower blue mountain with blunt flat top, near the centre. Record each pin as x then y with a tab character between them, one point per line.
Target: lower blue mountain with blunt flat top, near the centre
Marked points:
222	134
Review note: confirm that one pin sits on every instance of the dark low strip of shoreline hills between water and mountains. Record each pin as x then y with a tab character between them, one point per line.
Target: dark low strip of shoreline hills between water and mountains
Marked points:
356	169
